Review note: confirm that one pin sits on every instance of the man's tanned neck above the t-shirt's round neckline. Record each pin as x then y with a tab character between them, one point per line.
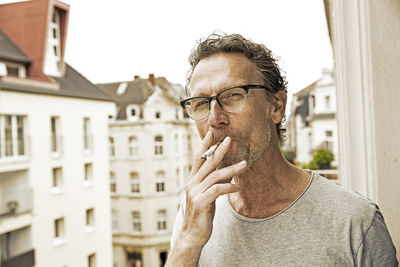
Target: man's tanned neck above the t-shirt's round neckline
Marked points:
269	186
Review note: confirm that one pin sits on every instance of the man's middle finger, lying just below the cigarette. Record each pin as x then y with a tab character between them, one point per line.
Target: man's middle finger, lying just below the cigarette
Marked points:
213	160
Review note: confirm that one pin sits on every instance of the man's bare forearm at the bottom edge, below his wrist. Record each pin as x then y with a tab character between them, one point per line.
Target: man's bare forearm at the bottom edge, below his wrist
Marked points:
183	254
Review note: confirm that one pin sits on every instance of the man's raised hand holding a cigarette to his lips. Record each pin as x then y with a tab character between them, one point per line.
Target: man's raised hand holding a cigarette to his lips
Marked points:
206	184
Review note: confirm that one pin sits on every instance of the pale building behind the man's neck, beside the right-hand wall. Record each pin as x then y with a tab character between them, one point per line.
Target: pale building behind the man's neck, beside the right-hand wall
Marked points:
312	121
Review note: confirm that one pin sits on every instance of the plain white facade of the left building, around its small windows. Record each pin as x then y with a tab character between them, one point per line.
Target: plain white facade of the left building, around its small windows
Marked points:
76	198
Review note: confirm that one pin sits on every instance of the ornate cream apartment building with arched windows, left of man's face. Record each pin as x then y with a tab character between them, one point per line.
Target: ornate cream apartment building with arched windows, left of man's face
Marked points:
151	144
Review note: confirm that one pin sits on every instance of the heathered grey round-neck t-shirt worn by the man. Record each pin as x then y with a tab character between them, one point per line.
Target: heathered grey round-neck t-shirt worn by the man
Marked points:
325	226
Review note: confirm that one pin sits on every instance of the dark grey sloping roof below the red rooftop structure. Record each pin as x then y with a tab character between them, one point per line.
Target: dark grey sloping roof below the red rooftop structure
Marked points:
73	84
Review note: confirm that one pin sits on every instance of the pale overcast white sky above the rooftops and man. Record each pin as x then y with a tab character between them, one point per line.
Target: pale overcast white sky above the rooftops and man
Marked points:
109	41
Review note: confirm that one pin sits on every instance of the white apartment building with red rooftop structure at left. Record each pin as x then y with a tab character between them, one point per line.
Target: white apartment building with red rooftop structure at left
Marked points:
54	165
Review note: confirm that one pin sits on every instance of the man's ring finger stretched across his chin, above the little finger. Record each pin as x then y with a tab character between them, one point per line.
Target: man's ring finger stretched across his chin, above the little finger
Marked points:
222	175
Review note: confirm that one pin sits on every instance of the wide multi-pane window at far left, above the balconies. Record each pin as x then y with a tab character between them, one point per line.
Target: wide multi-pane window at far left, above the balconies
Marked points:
12	136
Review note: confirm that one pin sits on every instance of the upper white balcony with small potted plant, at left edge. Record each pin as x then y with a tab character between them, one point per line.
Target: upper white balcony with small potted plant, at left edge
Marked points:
15	201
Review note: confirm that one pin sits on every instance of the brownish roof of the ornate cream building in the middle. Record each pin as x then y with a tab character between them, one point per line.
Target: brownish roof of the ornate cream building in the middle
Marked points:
139	90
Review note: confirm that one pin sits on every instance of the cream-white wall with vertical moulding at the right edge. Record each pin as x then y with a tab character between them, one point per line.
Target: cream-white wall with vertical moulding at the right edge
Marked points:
366	38
